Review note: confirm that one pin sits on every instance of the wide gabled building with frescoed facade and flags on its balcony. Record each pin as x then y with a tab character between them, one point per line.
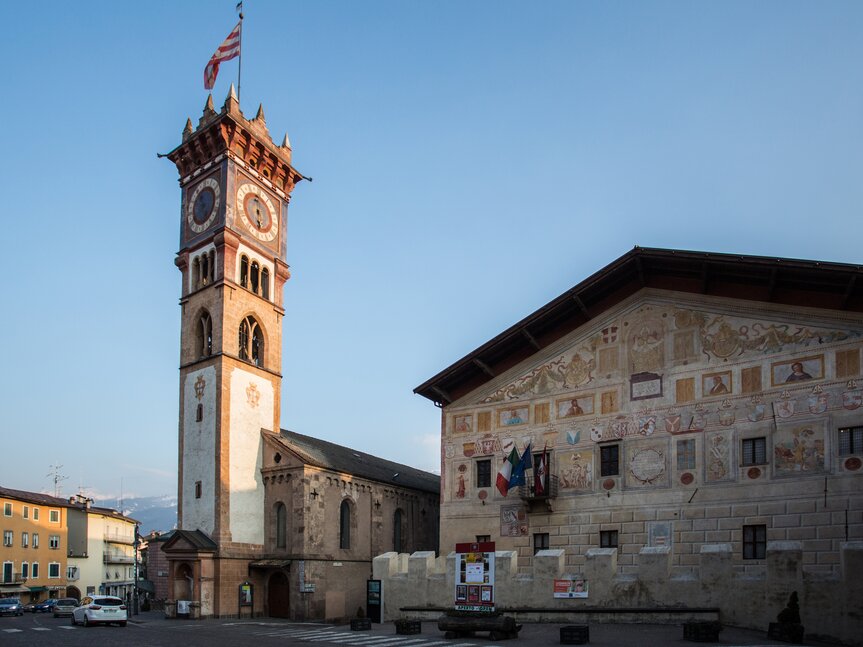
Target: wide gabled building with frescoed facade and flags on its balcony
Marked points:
671	400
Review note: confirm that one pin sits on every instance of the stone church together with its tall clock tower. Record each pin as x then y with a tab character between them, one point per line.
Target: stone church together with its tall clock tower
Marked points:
270	522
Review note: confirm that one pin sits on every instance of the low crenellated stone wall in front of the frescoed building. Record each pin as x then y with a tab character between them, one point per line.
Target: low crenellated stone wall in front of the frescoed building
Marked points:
829	603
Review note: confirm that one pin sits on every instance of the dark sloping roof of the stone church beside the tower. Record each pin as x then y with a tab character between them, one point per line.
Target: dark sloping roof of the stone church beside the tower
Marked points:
326	455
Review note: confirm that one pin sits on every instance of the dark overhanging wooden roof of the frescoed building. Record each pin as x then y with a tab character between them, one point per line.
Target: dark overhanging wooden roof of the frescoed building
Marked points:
784	281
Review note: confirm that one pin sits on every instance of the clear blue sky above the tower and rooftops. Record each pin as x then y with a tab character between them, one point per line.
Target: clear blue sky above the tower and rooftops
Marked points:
472	160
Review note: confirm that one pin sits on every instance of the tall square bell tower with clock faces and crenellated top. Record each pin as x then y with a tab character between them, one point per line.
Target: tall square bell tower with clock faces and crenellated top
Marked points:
236	185
